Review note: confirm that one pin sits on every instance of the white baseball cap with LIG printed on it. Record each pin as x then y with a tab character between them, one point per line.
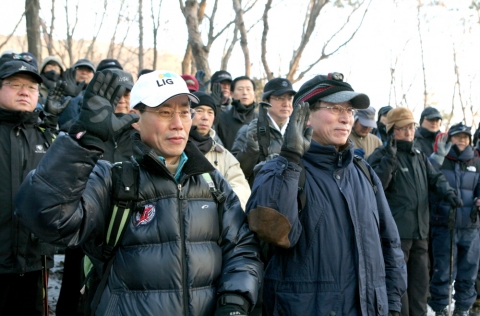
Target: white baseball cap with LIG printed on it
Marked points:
154	88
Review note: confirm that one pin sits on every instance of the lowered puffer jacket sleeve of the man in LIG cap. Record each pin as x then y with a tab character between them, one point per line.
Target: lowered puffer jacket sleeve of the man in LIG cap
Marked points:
242	269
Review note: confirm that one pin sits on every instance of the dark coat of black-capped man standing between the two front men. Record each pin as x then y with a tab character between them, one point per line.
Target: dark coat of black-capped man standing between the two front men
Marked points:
247	157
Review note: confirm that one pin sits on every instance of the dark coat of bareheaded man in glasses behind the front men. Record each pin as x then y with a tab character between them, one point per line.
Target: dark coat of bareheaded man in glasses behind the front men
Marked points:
232	119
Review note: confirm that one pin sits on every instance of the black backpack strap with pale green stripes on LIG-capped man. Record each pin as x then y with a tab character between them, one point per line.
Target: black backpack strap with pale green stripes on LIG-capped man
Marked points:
125	191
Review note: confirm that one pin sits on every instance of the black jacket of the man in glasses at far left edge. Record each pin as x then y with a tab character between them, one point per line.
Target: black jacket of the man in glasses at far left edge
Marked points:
24	142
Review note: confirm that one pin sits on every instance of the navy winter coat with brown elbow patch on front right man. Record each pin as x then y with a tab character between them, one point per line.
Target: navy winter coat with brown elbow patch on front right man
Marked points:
343	254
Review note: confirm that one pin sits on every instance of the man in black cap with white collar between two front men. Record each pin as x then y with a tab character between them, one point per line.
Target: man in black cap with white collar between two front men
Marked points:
262	139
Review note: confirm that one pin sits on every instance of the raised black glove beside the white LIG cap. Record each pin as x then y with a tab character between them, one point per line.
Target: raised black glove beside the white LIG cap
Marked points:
96	122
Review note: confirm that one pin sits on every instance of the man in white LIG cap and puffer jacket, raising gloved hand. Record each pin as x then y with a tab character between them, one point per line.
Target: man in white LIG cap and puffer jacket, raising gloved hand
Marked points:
182	252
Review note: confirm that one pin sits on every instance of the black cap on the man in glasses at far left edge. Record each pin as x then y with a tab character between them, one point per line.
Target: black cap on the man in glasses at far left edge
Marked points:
19	63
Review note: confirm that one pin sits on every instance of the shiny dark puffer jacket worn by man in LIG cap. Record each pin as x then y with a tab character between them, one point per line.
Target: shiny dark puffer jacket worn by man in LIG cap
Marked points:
169	261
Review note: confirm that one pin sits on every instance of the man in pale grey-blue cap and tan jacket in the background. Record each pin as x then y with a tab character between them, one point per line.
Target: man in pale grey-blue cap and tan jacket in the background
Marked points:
360	134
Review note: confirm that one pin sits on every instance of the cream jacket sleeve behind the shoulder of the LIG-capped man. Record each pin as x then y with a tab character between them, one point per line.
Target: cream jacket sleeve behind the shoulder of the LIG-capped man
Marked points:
235	177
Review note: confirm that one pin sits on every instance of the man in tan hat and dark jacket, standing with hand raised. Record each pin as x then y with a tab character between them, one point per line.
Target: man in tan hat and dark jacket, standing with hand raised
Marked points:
407	176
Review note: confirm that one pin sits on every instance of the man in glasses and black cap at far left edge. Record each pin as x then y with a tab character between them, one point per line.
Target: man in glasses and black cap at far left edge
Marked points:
25	139
